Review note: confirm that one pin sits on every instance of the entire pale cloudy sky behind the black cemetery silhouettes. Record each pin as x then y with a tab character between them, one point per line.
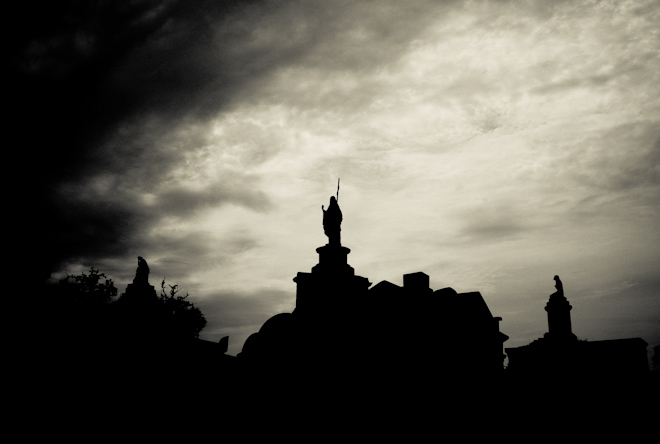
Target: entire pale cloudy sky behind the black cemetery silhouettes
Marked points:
489	144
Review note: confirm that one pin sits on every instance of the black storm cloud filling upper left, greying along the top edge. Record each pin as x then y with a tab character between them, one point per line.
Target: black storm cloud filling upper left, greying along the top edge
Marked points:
101	88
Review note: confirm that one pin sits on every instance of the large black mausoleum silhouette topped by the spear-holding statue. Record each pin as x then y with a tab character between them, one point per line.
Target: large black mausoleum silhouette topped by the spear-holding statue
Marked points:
342	325
